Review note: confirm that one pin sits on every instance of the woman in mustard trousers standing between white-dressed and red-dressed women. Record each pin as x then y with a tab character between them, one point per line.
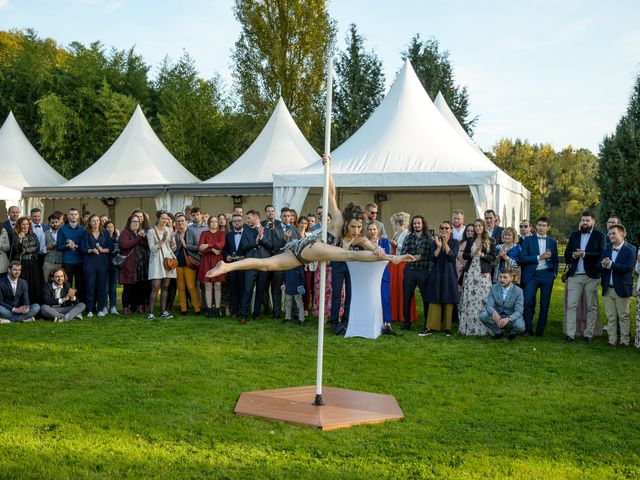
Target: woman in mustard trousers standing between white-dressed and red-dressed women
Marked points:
188	262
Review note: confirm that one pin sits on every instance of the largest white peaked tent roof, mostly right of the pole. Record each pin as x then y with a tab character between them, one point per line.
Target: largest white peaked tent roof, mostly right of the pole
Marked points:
406	142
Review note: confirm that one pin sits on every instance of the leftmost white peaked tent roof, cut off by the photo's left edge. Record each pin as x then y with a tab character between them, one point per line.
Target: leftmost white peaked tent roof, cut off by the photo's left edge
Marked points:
20	163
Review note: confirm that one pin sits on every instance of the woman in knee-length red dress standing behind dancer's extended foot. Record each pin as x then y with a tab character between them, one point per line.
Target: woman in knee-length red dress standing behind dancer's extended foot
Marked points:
210	246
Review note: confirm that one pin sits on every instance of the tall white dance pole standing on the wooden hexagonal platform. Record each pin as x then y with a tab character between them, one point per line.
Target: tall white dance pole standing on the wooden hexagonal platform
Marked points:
325	210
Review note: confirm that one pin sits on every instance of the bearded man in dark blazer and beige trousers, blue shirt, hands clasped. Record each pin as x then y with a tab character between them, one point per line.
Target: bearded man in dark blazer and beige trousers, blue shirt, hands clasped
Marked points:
582	257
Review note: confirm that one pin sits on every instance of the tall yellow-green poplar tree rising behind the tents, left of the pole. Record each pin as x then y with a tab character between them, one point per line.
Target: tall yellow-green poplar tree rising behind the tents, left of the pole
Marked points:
281	52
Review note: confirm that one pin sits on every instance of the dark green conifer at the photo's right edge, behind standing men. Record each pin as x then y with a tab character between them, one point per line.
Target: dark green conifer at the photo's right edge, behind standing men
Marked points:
619	162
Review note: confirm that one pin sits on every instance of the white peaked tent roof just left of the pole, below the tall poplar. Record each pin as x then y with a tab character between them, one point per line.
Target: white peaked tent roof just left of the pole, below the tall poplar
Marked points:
281	146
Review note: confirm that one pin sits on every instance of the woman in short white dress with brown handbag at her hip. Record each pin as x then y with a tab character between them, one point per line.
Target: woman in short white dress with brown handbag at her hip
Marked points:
162	262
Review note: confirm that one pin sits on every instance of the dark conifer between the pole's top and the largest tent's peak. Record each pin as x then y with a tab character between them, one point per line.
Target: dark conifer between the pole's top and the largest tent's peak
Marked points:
358	89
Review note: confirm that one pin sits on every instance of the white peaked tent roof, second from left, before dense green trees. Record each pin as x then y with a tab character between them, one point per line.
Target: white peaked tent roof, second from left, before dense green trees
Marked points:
137	157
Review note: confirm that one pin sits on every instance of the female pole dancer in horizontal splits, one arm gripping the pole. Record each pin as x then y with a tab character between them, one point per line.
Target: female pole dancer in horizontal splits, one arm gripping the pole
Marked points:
312	249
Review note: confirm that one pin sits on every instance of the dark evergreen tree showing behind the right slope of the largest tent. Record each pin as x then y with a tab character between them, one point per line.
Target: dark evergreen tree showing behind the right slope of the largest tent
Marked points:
435	72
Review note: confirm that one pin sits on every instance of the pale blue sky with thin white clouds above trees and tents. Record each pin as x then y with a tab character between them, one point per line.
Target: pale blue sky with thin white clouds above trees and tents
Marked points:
552	71
